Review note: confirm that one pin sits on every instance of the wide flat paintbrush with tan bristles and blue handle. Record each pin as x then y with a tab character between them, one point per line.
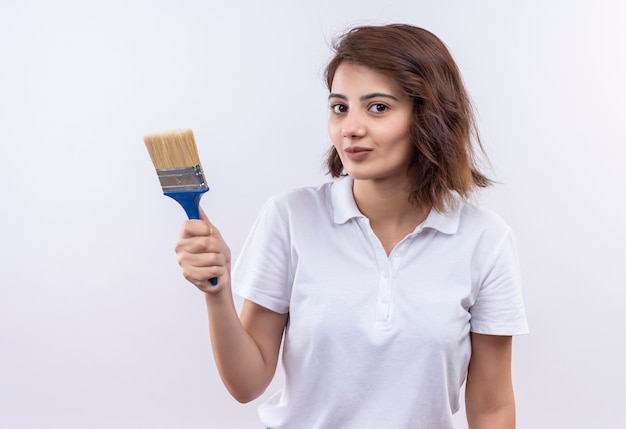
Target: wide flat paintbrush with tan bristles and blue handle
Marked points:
175	158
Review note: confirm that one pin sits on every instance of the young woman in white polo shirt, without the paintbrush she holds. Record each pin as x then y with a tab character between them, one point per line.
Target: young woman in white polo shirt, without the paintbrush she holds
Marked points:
389	288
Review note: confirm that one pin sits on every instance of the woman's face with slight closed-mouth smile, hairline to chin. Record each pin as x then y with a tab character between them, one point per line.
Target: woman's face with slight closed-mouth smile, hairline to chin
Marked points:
369	124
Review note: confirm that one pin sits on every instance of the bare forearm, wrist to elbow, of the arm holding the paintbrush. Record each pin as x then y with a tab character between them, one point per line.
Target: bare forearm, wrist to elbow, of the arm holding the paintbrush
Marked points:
238	358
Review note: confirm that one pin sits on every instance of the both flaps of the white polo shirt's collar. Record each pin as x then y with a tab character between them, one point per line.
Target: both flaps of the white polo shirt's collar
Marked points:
345	208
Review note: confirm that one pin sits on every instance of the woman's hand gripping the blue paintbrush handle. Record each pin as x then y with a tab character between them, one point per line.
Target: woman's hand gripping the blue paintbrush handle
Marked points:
203	254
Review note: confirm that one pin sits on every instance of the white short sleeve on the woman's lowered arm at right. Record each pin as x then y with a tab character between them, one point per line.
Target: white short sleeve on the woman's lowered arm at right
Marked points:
499	308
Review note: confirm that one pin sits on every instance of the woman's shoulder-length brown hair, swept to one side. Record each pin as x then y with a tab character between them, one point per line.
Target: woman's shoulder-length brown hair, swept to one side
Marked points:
445	162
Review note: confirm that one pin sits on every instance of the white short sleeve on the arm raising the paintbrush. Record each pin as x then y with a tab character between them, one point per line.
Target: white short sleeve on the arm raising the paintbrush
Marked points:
263	271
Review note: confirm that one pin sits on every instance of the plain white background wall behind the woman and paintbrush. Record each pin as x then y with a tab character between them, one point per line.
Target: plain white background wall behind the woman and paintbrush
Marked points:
97	327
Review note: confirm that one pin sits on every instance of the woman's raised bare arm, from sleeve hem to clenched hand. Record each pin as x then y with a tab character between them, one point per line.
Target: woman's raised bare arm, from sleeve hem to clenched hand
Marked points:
246	354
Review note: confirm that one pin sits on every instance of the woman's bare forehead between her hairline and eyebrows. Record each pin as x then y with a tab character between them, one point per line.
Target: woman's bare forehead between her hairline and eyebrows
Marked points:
355	78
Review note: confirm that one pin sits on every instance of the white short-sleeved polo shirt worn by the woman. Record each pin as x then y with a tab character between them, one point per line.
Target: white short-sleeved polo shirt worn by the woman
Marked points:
376	341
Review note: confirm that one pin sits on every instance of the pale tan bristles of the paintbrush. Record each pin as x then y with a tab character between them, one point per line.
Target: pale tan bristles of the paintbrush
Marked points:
174	149
